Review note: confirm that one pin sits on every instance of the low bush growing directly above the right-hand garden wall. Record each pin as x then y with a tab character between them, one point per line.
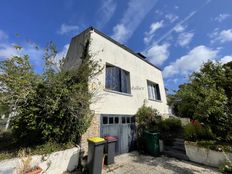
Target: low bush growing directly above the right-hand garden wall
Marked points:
195	131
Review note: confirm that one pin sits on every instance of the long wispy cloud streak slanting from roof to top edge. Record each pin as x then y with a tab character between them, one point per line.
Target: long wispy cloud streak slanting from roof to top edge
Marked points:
133	16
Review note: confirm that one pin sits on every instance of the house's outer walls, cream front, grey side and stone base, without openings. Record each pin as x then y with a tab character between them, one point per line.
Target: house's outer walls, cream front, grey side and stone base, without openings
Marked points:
109	102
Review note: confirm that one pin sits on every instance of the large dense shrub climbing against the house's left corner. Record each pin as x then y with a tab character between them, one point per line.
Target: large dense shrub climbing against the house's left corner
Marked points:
57	109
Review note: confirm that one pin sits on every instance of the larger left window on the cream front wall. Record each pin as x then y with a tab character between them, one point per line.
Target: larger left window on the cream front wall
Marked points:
117	79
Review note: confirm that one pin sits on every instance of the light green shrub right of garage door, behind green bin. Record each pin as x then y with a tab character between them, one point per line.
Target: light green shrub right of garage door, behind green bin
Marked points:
147	119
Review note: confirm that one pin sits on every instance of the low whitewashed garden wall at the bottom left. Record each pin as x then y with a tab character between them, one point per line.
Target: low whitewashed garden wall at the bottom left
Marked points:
54	163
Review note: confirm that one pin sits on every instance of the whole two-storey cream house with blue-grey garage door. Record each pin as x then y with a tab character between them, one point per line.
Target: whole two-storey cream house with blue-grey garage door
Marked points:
125	83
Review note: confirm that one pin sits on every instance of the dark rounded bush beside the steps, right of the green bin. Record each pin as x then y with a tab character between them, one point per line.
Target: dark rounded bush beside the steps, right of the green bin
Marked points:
169	129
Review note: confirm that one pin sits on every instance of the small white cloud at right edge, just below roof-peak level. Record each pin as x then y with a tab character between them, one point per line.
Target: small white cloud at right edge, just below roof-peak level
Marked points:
222	36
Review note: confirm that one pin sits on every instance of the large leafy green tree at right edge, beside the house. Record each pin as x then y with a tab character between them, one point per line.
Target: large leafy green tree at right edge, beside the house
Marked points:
207	98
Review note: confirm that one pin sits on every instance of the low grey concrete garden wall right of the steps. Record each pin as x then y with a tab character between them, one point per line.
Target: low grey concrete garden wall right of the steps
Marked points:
205	156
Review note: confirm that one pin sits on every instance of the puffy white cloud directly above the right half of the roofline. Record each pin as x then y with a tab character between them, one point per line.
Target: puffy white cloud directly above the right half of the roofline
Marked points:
157	54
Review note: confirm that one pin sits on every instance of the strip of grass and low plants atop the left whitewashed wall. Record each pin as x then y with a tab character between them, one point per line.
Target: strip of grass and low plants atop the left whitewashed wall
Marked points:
10	149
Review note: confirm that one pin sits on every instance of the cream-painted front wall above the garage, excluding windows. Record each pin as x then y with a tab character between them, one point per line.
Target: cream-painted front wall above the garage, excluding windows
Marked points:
107	102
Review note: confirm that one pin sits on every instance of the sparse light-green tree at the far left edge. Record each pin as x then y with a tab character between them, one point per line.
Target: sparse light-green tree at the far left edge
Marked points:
17	81
